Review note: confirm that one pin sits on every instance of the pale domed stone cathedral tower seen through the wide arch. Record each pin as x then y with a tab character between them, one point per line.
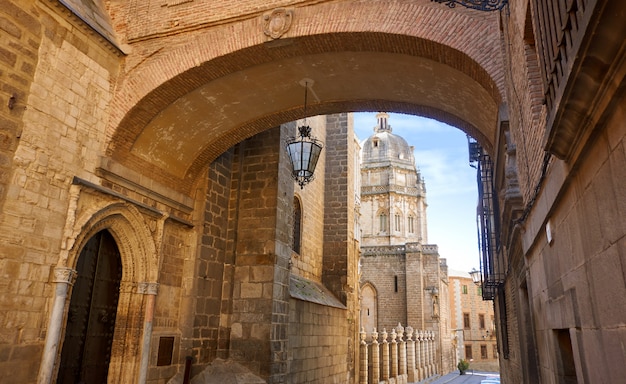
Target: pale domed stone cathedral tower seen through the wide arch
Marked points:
403	279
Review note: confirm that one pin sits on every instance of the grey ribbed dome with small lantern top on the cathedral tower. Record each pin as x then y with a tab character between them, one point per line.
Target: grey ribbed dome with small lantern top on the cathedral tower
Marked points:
383	147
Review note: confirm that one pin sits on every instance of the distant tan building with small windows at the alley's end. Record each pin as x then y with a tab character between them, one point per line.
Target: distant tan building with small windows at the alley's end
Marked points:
472	323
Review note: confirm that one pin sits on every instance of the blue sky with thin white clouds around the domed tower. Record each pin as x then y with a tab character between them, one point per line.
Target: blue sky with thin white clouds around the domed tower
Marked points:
442	157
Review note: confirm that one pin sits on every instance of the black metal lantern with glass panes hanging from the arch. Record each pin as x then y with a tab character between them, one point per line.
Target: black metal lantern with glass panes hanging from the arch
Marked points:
304	150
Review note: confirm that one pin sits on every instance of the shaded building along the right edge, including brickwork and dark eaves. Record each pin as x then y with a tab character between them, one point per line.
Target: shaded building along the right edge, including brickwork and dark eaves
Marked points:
559	305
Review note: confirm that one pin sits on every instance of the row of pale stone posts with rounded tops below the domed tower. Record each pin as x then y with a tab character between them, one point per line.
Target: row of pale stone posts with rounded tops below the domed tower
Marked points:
400	357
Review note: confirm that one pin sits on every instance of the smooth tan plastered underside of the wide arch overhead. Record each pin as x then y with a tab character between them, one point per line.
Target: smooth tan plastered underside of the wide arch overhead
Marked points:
200	120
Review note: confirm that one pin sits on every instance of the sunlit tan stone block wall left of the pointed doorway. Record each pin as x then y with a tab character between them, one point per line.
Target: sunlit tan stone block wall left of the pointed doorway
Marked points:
49	133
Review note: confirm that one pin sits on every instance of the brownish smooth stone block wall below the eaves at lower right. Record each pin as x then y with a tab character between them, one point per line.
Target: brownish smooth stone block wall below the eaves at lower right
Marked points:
578	289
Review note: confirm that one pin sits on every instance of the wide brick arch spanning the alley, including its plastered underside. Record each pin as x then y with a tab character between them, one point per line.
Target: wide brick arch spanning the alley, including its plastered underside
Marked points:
189	105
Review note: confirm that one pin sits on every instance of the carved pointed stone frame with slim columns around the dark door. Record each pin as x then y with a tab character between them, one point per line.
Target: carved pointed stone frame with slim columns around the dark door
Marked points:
129	229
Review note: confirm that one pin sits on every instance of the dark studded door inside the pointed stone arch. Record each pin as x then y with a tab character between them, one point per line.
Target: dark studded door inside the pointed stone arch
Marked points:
91	317
